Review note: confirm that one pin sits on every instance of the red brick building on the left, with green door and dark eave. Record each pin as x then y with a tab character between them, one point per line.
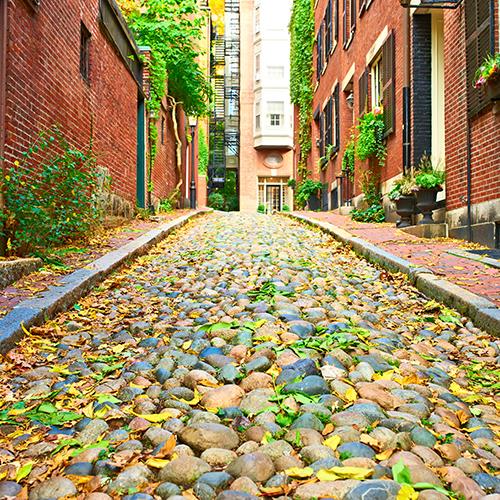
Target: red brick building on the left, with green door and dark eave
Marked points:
75	64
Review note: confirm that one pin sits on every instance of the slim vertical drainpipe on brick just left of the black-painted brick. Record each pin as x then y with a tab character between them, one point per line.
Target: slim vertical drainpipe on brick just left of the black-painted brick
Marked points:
406	91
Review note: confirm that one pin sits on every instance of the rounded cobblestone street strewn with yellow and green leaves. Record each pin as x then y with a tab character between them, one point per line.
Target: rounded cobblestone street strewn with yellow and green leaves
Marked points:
250	355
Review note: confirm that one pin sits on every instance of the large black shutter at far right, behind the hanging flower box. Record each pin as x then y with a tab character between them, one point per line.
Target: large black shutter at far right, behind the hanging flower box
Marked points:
478	46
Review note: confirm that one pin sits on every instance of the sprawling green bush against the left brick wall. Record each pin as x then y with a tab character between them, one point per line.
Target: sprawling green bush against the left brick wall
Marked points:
50	195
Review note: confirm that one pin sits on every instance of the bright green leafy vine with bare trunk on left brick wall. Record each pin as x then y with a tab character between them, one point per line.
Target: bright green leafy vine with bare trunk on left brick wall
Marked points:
172	29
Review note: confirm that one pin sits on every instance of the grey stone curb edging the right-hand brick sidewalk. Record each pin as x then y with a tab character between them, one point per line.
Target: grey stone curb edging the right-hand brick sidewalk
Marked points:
484	314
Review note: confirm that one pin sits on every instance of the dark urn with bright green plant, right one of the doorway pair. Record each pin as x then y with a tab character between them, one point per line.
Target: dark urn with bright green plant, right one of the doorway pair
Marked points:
428	182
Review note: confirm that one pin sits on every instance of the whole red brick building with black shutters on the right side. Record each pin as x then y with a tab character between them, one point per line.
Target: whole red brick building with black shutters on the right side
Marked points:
360	63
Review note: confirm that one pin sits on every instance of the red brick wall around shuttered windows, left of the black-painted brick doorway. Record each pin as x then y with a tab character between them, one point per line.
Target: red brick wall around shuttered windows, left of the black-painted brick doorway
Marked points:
368	28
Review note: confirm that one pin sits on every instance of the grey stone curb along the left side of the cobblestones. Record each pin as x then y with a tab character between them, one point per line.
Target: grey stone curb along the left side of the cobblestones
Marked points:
71	288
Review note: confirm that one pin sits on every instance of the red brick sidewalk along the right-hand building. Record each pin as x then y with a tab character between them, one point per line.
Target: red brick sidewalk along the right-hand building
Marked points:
474	276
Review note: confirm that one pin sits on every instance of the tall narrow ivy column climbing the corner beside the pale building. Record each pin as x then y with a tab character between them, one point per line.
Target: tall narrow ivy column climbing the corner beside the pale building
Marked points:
301	72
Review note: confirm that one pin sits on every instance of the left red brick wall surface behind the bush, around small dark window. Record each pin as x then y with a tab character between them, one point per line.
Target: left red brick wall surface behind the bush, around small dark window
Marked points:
44	86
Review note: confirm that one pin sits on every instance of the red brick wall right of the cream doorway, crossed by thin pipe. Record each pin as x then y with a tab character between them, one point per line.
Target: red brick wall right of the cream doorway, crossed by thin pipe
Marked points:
485	128
